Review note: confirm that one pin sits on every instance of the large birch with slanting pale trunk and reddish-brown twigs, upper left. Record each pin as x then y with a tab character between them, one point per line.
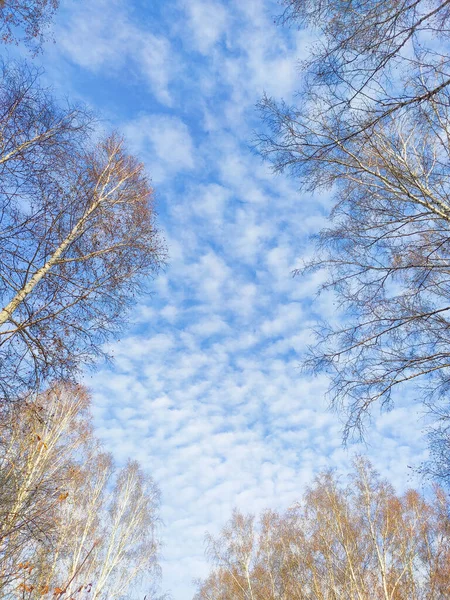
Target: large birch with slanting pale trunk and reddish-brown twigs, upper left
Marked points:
77	236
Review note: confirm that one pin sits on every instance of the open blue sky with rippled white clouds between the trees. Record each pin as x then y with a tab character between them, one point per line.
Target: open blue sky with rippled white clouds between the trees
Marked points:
206	389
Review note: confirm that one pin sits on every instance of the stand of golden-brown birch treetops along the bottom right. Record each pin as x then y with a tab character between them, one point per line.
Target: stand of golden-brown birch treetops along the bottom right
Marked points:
359	541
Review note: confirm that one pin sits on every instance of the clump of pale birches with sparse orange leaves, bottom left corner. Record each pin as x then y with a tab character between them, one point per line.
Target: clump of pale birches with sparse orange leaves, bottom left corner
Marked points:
72	525
